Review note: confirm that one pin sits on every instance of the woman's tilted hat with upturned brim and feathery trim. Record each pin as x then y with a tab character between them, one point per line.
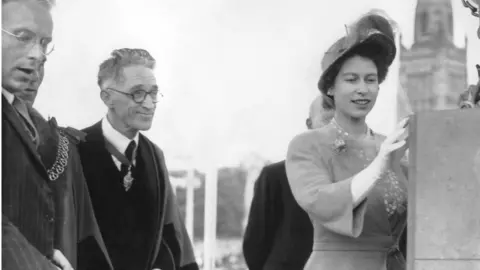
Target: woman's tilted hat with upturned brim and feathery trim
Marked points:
372	30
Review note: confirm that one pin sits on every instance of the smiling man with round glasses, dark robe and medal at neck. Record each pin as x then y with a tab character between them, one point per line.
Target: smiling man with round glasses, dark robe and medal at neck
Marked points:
127	178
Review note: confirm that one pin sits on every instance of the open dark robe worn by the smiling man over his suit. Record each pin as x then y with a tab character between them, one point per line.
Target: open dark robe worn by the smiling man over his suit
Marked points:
170	246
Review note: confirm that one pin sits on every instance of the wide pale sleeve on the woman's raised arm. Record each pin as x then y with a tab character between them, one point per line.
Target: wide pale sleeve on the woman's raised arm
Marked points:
329	202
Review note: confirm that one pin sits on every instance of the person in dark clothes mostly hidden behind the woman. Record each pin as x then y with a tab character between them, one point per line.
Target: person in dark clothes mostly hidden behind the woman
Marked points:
279	233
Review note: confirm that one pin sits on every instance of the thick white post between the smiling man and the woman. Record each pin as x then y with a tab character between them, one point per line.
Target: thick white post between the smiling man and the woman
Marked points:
210	224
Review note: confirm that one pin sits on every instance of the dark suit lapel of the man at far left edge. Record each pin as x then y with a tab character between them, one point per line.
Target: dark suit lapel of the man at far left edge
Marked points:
11	116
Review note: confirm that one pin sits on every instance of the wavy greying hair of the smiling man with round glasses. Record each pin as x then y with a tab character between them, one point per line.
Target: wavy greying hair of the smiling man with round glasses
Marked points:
112	68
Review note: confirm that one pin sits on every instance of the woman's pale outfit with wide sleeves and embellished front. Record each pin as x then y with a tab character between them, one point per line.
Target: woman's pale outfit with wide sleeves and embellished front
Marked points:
320	166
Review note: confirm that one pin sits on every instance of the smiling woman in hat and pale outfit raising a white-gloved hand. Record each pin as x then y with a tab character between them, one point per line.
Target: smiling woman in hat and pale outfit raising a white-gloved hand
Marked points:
350	180
